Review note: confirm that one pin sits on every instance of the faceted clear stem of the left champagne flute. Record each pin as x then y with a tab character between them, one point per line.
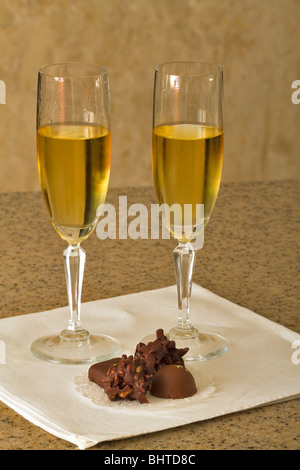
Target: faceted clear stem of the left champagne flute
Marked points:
74	257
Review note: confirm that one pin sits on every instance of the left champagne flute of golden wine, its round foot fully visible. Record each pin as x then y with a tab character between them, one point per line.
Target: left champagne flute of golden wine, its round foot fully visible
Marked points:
74	147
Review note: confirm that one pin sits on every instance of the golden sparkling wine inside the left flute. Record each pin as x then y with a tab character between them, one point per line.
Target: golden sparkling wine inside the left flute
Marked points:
74	168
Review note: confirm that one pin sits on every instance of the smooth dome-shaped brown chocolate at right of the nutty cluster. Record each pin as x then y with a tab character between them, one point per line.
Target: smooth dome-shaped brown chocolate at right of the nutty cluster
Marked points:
173	381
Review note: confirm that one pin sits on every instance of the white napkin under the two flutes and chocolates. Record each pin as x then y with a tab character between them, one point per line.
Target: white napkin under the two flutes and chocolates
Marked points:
257	370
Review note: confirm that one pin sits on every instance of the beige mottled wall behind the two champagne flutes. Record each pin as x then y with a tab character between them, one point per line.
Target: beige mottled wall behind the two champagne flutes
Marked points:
256	41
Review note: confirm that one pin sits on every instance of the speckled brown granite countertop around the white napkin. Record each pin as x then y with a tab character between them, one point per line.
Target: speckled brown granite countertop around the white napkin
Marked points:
250	257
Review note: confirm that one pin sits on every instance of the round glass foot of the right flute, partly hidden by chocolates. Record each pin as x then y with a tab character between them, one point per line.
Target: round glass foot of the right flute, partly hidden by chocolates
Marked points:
203	346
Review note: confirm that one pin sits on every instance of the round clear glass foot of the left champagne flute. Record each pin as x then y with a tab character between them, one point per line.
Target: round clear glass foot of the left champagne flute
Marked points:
63	351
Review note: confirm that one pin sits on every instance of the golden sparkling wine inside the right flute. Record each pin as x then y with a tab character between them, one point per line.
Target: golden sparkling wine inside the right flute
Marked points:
187	166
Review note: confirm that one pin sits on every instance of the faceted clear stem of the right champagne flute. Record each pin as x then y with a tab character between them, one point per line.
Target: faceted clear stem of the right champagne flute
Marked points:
184	260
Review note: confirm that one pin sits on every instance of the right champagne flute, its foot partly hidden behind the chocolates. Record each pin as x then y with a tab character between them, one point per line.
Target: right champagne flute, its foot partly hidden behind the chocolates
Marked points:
187	152
